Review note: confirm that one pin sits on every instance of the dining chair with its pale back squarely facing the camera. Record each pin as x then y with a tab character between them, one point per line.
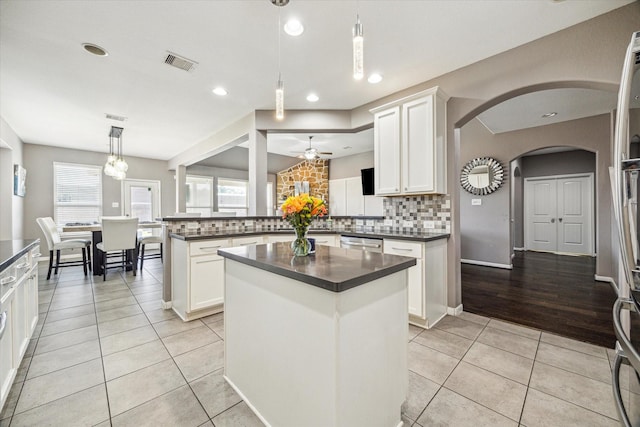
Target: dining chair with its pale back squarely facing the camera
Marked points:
118	237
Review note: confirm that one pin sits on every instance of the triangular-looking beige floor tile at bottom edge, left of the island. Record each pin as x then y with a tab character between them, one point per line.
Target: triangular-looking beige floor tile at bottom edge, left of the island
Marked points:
176	408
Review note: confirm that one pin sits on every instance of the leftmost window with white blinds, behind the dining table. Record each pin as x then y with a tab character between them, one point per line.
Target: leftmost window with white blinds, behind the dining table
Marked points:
77	193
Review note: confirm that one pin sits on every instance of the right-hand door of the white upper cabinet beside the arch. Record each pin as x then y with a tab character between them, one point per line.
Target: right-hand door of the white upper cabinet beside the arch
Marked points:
418	148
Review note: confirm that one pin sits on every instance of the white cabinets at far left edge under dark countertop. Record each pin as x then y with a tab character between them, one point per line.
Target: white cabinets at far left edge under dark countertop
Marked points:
18	315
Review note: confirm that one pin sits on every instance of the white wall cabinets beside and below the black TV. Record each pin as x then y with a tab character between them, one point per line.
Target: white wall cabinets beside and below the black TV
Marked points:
346	199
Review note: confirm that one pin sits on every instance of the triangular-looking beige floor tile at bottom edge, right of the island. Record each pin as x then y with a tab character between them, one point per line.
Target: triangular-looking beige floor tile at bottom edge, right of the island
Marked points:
451	409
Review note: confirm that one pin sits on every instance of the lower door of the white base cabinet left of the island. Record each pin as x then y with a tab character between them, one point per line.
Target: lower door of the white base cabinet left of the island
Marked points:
206	282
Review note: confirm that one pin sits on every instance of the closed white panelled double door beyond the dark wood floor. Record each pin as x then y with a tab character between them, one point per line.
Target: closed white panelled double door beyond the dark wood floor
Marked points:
558	214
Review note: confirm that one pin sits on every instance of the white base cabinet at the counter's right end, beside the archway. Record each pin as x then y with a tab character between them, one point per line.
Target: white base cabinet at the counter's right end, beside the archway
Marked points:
427	302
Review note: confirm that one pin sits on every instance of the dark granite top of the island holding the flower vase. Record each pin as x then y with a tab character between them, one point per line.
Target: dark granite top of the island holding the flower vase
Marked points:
331	268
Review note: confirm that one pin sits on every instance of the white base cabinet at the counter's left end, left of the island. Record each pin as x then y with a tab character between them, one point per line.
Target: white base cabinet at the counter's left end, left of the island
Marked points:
197	277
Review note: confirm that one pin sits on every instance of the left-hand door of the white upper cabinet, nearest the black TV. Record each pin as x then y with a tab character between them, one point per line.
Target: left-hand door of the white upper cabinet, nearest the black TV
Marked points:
386	141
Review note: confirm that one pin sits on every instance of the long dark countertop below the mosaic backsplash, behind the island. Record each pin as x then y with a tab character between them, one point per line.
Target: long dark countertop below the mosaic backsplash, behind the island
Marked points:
398	235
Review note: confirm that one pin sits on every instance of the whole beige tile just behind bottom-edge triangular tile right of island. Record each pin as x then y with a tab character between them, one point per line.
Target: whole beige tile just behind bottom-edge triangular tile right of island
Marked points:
497	393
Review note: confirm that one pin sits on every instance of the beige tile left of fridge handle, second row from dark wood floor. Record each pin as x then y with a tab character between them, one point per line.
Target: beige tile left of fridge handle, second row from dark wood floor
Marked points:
575	361
